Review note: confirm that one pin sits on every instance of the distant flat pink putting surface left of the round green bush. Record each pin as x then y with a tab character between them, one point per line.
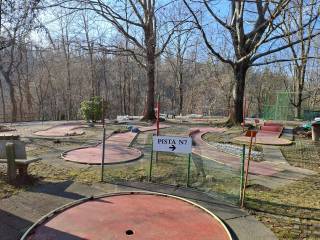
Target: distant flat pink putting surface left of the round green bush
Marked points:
61	131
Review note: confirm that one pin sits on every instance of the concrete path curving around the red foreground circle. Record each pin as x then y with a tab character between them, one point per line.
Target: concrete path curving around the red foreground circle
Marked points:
20	211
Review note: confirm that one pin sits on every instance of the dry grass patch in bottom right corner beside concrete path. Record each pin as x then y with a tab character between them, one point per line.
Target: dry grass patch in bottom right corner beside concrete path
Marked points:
291	212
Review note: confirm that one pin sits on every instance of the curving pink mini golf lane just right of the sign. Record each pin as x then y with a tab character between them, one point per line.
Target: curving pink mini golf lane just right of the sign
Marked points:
204	149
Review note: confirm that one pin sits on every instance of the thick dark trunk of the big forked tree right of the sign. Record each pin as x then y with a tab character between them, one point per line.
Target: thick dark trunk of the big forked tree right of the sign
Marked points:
236	114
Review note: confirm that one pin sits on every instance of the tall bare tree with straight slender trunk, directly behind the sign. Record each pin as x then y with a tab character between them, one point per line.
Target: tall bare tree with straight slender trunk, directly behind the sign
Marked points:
140	22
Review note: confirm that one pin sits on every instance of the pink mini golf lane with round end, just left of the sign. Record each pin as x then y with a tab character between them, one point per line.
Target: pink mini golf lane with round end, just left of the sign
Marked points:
117	149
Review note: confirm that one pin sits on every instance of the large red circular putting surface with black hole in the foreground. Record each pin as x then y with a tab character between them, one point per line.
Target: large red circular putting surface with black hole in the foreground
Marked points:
136	216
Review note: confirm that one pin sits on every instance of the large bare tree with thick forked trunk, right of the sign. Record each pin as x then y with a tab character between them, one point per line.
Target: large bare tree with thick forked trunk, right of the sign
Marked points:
252	29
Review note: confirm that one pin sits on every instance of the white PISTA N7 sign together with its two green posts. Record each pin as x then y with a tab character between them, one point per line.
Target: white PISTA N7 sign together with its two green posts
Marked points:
172	145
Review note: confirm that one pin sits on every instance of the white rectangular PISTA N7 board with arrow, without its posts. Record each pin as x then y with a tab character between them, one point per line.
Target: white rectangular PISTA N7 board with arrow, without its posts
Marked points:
172	144
